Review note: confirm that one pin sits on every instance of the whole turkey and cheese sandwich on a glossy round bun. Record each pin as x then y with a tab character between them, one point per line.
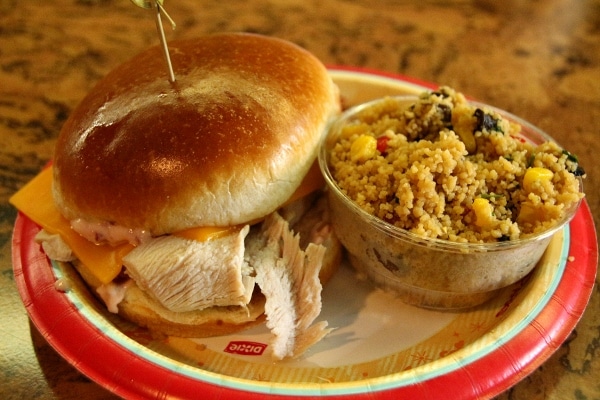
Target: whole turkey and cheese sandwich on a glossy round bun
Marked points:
194	208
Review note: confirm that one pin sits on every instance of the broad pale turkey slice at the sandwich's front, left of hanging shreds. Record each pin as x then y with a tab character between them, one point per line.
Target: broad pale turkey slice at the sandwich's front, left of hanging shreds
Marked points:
185	275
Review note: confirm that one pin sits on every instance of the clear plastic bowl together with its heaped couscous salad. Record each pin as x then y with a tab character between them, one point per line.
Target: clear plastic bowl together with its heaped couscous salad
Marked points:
445	201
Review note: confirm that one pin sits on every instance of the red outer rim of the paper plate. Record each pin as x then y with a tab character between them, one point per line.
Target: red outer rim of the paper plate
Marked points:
131	376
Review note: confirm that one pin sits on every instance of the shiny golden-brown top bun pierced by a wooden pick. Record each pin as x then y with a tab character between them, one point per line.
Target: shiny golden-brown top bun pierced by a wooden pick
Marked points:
227	143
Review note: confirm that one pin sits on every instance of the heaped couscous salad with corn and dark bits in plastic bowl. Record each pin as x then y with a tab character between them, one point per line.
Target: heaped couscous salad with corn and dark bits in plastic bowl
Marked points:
444	168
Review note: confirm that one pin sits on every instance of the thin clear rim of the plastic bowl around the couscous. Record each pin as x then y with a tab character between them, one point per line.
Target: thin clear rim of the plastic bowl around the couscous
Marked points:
443	244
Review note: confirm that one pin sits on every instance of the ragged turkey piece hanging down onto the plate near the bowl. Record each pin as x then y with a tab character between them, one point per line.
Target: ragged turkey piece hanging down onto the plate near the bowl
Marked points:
288	277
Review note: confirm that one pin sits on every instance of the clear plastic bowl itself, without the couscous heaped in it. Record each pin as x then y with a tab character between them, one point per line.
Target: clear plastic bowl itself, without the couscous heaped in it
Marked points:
430	273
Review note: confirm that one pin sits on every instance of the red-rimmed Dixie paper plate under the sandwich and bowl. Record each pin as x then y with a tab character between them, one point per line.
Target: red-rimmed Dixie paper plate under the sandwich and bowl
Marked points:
380	349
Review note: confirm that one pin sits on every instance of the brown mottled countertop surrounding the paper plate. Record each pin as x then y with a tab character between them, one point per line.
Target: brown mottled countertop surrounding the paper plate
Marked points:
537	59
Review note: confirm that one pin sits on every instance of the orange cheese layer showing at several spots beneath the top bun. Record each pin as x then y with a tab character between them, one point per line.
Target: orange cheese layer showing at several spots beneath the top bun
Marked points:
102	261
